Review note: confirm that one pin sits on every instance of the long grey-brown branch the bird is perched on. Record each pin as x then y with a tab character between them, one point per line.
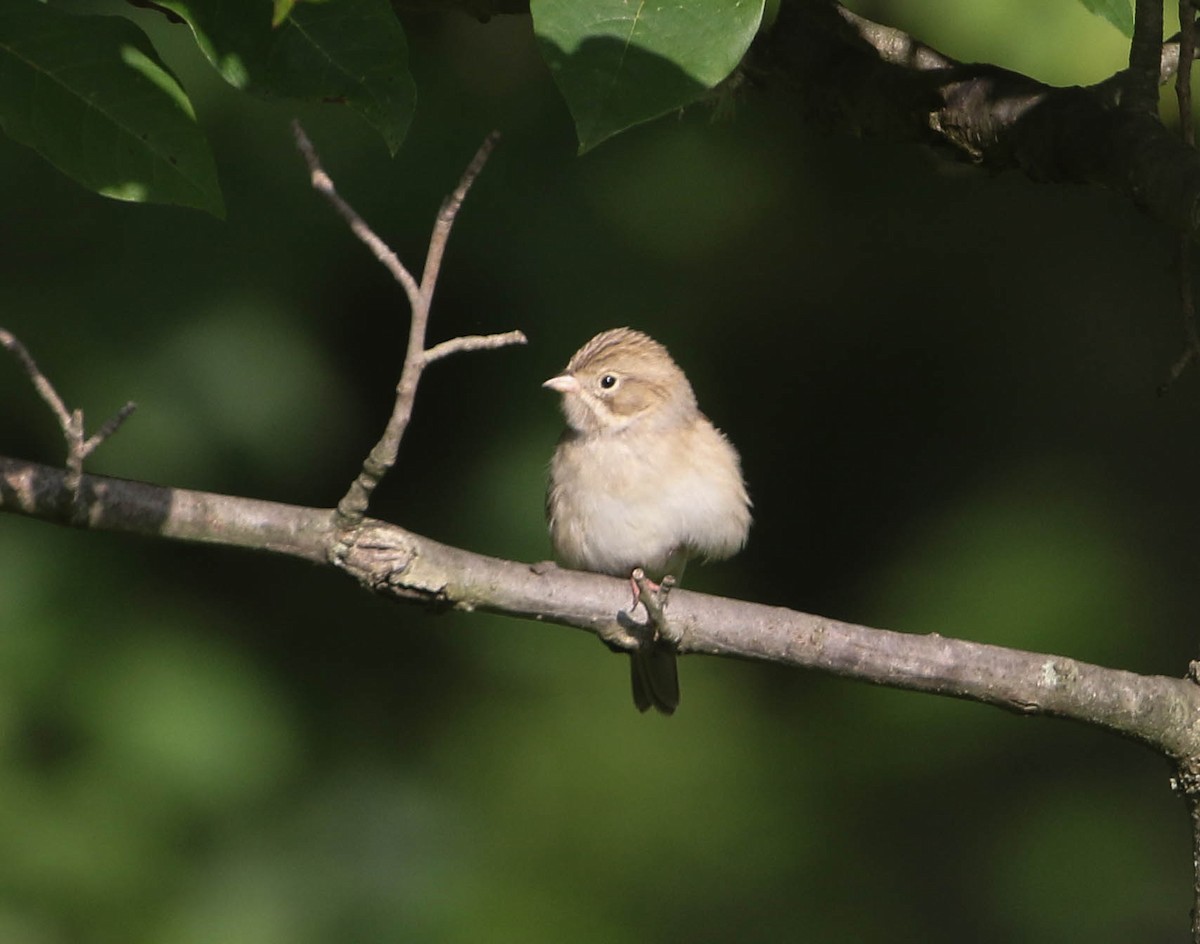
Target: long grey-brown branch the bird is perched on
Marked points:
1160	712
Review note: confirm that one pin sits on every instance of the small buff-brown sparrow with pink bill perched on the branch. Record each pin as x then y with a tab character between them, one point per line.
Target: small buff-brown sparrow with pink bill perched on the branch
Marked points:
641	479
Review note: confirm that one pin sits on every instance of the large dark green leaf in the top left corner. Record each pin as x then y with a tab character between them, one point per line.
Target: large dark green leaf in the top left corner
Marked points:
91	95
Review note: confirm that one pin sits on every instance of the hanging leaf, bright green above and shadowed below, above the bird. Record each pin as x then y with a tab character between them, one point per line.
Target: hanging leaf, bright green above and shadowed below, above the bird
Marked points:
620	63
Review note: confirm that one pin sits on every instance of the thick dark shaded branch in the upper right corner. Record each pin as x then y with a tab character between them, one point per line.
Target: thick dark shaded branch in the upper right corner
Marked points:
875	81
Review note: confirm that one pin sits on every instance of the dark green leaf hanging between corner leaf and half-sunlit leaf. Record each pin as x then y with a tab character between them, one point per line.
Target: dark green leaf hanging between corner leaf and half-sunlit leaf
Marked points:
350	52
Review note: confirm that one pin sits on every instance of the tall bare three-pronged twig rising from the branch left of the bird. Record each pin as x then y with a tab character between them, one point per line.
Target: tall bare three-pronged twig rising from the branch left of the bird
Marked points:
353	507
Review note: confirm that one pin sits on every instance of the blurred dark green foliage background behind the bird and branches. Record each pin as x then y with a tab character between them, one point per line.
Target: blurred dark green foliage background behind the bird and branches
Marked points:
944	390
